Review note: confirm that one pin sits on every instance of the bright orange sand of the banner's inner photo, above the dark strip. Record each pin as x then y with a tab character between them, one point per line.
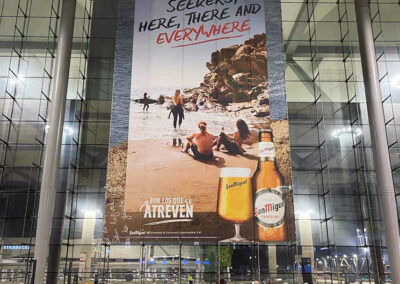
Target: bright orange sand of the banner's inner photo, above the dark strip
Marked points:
156	169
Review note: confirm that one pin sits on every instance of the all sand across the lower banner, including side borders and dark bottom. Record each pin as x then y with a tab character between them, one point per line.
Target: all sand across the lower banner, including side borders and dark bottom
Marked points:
148	161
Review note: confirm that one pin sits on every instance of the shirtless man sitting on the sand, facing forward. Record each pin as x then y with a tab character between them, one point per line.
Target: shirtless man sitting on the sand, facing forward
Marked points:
200	143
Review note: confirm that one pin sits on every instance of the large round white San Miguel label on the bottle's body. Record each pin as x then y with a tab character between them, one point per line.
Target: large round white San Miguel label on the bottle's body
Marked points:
269	207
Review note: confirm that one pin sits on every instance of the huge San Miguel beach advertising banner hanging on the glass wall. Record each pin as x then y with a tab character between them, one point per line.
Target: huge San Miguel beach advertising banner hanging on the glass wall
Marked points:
203	152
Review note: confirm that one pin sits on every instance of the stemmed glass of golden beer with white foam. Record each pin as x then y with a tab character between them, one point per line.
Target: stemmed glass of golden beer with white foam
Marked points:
235	202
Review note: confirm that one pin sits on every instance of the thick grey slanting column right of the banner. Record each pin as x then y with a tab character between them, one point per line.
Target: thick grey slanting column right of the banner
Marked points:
384	178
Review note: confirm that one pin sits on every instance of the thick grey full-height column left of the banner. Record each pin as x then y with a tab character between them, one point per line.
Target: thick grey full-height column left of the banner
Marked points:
54	138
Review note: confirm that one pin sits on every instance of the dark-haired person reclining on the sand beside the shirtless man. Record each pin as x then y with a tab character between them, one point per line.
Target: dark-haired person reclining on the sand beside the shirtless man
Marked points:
233	143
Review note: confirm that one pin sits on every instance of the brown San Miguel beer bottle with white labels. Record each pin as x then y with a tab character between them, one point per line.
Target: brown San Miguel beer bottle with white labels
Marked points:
269	203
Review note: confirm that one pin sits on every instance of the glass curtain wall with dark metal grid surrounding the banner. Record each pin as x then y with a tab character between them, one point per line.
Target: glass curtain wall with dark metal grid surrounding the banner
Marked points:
338	219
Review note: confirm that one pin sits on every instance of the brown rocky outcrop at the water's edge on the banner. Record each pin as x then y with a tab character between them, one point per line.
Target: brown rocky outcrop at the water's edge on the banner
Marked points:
237	80
